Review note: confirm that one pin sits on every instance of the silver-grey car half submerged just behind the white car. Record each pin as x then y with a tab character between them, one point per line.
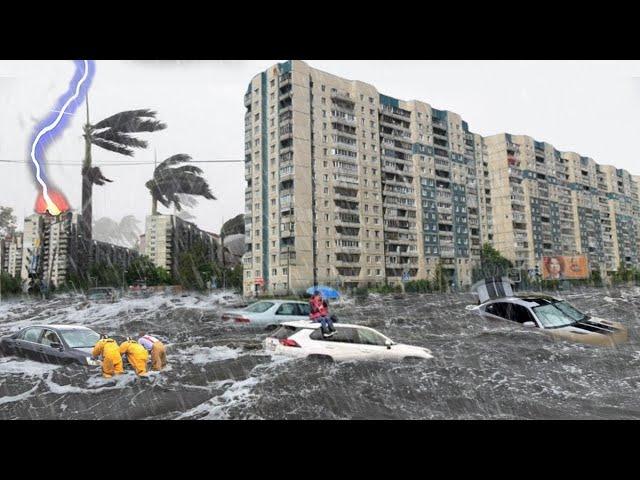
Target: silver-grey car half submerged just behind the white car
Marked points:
268	313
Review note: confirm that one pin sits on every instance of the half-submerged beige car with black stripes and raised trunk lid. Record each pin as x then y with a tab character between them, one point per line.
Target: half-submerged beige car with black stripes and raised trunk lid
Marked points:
553	315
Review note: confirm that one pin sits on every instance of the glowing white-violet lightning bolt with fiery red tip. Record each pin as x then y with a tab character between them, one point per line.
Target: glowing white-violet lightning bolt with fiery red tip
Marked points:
36	150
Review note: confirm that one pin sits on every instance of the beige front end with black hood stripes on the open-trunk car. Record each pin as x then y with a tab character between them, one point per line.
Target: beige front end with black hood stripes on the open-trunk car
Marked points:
594	331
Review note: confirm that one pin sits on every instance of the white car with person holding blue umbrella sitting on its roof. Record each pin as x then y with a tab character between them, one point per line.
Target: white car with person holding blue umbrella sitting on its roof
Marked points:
350	342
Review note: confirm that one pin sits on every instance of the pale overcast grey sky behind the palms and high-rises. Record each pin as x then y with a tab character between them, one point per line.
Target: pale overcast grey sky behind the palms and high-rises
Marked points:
590	107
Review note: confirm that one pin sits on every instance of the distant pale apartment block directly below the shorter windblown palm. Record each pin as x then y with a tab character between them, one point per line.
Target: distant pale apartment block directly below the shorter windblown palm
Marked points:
166	236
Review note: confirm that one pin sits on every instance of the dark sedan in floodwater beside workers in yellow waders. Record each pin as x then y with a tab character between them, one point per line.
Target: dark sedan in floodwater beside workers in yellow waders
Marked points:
62	344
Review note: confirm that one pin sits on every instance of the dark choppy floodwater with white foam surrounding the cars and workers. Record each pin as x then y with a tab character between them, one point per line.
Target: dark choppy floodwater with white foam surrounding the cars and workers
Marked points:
482	369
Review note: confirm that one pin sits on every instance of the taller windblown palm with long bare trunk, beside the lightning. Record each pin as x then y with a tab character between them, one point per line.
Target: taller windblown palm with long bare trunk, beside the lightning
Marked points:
113	134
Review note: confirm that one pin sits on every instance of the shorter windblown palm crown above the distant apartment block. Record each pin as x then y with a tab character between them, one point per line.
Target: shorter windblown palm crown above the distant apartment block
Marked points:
170	182
